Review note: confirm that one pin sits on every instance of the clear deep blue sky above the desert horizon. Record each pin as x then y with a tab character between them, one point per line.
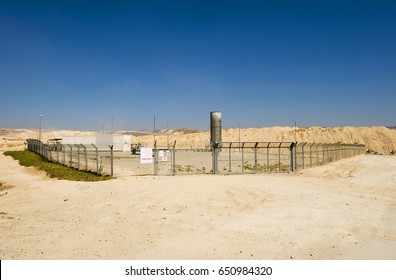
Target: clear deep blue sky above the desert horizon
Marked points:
261	63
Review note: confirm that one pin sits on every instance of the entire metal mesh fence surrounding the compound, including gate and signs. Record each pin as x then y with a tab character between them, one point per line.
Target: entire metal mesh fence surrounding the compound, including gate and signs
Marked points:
231	158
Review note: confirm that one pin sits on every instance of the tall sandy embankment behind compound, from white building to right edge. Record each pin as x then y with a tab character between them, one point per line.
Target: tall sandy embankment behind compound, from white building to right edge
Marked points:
379	139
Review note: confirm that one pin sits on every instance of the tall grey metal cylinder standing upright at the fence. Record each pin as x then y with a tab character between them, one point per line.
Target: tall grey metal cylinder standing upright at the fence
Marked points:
215	138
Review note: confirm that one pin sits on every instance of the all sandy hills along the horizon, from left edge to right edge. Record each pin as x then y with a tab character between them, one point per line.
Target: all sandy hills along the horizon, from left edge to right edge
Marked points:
377	139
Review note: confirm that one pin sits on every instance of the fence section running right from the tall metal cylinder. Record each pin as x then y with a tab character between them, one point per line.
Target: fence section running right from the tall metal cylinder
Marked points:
259	157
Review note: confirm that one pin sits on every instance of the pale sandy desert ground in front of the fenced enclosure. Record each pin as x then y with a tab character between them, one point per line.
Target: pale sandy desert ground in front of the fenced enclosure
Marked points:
344	210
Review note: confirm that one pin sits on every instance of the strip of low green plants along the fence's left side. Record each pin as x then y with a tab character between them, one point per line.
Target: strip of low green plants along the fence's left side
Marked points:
54	170
